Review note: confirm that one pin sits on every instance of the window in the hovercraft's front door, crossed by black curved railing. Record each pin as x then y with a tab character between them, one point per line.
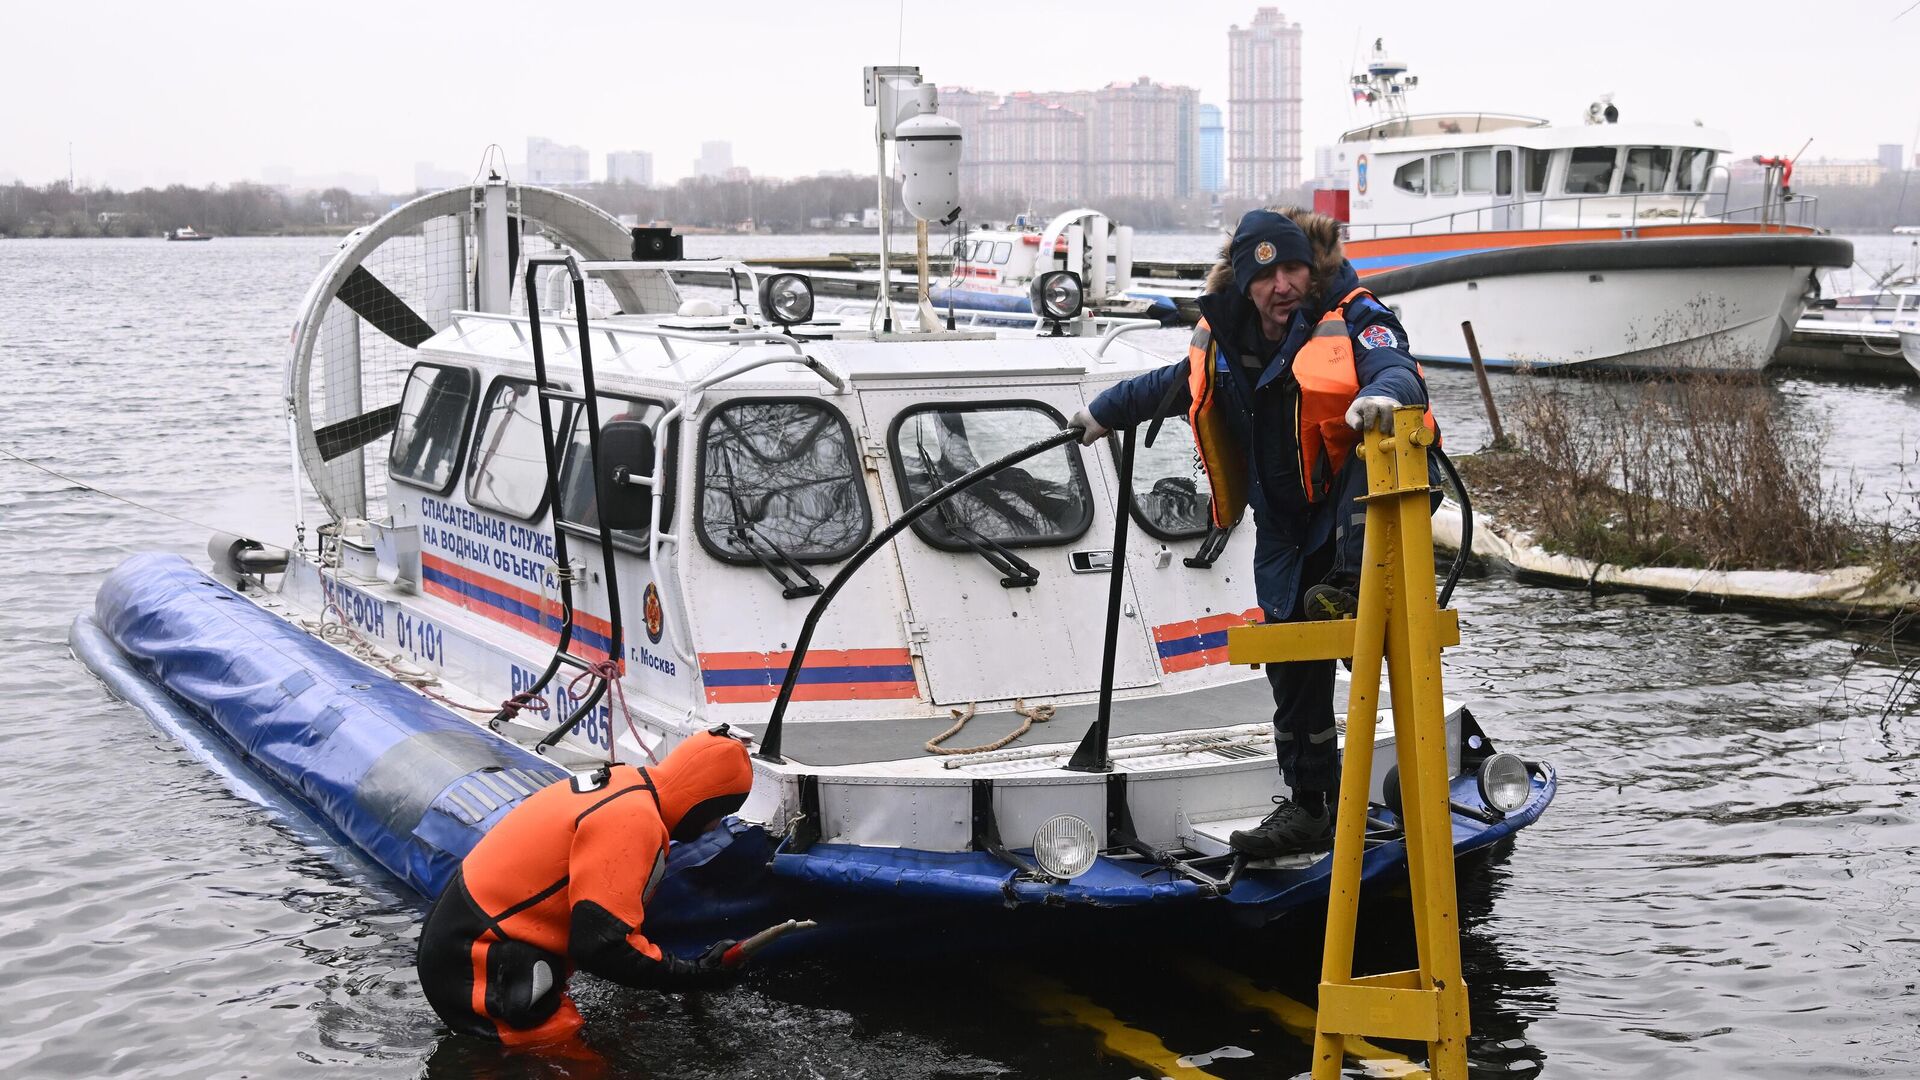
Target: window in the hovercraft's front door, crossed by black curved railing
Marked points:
1044	501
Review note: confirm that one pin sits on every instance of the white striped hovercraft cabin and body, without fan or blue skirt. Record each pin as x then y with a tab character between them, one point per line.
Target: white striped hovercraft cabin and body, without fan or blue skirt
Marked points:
769	460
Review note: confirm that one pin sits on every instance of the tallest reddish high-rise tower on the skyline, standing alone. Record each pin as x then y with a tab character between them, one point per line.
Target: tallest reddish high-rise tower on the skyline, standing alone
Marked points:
1264	107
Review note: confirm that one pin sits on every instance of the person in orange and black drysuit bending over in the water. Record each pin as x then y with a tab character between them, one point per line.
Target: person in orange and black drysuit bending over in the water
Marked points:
564	883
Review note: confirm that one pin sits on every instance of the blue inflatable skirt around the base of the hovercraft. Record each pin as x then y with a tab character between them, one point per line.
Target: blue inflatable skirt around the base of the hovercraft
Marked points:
414	787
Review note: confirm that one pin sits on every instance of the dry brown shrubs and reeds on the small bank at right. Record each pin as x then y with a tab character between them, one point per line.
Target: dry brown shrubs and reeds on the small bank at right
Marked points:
1691	472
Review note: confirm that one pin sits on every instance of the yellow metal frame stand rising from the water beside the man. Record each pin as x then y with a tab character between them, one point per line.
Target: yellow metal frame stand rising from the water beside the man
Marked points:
1403	626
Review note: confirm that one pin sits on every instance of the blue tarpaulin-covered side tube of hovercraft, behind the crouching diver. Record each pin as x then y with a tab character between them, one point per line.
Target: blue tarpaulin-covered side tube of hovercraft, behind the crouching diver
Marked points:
404	779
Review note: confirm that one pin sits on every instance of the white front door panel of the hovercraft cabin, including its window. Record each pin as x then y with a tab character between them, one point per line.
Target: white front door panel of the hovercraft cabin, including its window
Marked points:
1047	526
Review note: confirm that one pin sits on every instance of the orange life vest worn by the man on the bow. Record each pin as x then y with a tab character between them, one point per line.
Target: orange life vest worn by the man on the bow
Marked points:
1324	368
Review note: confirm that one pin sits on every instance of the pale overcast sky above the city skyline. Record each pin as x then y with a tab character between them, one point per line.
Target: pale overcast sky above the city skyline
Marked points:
222	91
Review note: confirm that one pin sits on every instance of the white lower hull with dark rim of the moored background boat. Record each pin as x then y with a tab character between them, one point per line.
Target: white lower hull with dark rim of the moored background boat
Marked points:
1639	307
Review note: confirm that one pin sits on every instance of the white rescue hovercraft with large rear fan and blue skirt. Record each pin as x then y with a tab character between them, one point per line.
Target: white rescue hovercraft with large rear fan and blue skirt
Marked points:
567	520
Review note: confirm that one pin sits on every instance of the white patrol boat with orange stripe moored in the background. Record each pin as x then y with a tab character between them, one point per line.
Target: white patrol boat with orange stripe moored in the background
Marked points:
1598	243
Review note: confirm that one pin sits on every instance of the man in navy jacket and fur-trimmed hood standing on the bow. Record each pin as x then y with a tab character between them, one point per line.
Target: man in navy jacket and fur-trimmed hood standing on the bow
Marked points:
1280	274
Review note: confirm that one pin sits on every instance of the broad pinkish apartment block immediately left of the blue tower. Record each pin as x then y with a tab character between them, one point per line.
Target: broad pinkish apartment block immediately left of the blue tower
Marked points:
1143	141
